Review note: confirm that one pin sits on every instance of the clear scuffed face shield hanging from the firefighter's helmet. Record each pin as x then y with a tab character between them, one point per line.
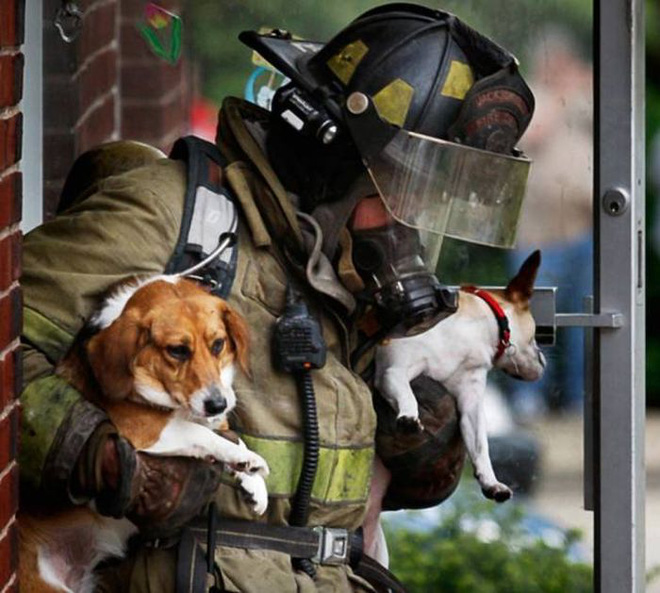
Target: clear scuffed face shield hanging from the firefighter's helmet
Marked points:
449	189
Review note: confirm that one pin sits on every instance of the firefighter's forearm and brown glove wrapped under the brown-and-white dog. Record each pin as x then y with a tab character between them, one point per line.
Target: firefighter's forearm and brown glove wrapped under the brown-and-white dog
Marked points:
71	453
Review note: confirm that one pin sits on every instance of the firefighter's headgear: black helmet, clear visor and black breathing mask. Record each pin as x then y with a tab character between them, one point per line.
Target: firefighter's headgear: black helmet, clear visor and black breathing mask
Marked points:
434	110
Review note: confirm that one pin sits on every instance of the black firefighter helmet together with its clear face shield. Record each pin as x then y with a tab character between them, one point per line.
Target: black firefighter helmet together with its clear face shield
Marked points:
430	107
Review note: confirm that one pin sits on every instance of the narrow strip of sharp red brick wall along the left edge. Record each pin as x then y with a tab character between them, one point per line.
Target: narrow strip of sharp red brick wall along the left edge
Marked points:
11	87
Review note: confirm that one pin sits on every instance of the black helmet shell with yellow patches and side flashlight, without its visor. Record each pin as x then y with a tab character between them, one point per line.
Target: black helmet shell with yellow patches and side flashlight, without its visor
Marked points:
418	67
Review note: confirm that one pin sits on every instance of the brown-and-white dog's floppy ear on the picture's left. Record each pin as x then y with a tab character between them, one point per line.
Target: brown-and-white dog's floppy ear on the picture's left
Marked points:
111	353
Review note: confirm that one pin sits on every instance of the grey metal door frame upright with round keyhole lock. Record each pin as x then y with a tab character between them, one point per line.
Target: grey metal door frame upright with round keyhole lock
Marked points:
619	402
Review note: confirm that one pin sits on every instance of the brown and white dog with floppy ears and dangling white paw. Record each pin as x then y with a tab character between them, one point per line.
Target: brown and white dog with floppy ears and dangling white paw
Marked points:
160	361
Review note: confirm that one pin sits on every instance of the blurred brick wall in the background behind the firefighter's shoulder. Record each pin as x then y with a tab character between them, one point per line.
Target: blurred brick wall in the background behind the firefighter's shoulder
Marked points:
104	86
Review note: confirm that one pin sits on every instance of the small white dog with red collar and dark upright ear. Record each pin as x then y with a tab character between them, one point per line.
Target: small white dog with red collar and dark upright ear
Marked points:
490	329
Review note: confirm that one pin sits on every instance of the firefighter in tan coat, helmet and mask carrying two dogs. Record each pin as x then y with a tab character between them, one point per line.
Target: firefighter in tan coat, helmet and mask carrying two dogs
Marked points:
399	130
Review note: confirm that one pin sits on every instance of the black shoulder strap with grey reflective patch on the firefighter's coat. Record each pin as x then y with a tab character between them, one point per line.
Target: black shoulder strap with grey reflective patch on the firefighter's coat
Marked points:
209	216
